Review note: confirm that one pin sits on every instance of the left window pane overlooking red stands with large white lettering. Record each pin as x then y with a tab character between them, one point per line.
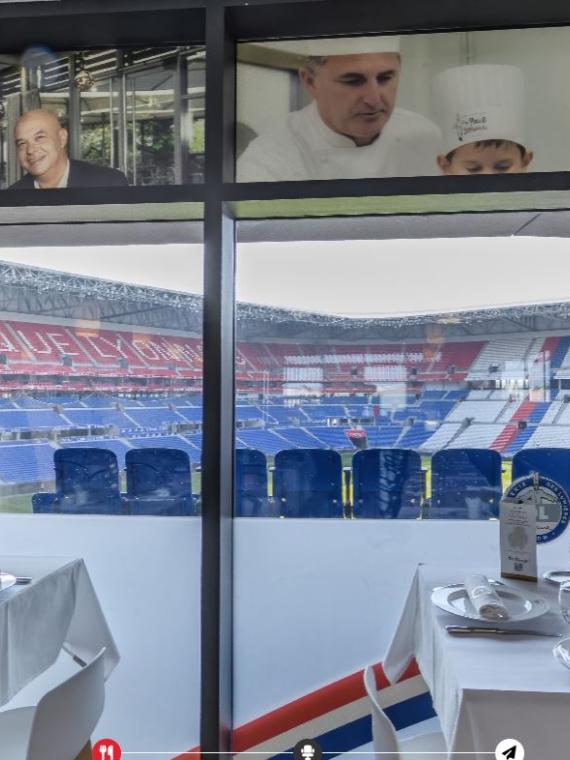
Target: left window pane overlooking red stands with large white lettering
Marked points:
100	435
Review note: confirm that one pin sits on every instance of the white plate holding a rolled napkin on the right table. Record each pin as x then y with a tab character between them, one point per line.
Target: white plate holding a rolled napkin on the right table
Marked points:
454	599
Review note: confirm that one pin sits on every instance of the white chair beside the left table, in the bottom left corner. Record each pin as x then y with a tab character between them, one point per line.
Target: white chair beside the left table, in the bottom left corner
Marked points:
61	724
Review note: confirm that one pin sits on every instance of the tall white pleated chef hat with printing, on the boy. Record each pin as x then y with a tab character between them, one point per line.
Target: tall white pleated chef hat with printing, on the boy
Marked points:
480	102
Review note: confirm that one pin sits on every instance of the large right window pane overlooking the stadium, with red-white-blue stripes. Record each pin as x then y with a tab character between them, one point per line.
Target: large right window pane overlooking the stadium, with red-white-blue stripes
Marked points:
426	367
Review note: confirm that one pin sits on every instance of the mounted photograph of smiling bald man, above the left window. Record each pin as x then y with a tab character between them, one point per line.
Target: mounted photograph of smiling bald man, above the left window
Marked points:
101	118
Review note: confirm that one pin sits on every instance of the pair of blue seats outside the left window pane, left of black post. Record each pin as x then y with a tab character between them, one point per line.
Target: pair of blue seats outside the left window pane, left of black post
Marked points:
87	482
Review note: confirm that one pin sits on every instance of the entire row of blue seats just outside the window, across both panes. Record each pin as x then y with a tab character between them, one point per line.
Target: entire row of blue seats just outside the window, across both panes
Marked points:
387	483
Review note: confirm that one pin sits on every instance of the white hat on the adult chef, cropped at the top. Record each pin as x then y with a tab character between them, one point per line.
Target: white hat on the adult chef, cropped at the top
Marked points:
325	46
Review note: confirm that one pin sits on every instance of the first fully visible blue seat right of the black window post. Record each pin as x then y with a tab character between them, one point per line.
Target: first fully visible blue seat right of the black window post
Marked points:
308	483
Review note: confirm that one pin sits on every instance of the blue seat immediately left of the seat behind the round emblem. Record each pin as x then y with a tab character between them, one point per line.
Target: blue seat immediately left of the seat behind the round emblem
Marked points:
465	484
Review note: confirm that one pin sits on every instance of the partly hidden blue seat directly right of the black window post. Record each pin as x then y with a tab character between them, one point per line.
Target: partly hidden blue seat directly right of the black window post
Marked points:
251	485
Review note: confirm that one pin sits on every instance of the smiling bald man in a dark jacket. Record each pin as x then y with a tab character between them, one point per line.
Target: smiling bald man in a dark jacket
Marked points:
41	145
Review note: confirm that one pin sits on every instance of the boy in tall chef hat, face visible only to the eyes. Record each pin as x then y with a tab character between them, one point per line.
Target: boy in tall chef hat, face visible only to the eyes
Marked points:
482	117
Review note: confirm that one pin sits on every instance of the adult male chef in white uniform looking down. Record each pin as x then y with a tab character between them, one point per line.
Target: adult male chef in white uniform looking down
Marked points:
351	129
